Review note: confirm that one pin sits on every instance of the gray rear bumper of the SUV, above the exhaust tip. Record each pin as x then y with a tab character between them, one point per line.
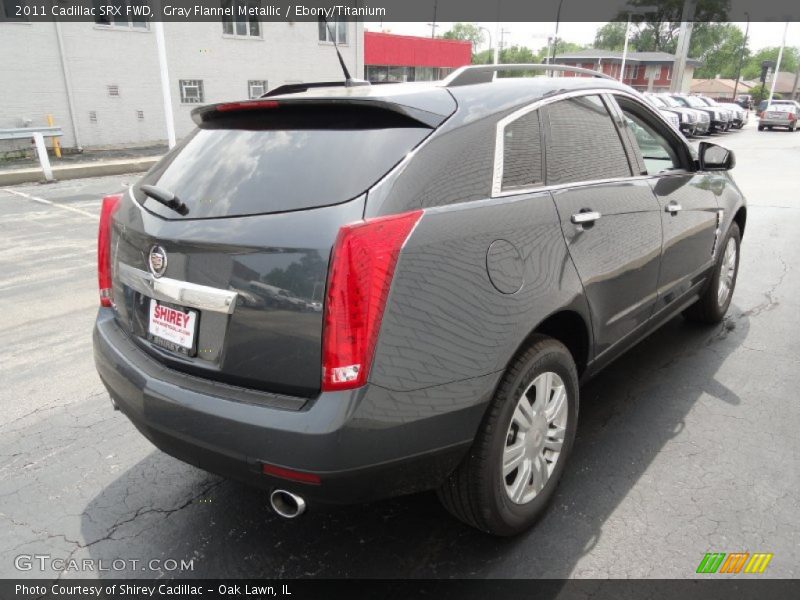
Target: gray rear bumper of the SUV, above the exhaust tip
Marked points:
363	444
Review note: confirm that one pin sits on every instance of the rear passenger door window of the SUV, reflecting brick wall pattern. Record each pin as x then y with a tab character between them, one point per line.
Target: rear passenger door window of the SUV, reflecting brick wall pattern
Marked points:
583	144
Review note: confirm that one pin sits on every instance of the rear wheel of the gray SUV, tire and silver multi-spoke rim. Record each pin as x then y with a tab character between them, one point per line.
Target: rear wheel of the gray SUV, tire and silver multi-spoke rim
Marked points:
477	492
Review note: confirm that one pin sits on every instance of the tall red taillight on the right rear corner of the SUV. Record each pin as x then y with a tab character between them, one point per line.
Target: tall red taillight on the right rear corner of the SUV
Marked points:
360	274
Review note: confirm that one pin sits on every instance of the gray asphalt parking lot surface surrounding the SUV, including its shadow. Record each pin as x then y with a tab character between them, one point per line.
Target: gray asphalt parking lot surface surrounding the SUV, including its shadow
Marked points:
686	445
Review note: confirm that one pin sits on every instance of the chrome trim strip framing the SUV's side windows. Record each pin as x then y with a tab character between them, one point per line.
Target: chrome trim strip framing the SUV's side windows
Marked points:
497	175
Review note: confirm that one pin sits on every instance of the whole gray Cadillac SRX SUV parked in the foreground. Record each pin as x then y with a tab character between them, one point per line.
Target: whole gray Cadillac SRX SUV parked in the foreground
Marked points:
481	247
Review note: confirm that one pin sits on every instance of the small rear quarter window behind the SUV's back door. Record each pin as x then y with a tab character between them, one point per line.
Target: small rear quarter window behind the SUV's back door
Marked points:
522	153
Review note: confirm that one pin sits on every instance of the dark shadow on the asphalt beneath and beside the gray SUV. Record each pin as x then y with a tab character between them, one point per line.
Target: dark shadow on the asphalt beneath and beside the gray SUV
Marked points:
163	509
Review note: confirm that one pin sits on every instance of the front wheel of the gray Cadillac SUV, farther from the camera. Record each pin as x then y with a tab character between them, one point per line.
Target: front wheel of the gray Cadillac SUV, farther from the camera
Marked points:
711	307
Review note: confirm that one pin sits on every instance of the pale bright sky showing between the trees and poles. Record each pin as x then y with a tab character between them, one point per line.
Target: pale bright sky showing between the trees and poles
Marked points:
534	35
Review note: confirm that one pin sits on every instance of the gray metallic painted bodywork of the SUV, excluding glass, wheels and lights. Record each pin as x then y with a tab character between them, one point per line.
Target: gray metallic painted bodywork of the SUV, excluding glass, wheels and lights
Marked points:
478	275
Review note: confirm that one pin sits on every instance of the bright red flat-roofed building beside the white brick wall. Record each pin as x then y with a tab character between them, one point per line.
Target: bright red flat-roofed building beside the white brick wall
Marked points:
389	57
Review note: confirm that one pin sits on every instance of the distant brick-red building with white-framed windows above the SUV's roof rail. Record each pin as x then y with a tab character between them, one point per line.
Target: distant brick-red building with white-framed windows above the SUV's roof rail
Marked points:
645	71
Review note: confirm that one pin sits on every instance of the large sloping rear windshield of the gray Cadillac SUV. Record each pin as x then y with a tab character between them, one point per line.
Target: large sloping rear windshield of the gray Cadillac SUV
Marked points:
230	170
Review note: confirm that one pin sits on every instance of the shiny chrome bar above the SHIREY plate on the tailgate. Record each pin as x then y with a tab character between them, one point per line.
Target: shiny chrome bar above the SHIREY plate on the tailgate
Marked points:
191	295
